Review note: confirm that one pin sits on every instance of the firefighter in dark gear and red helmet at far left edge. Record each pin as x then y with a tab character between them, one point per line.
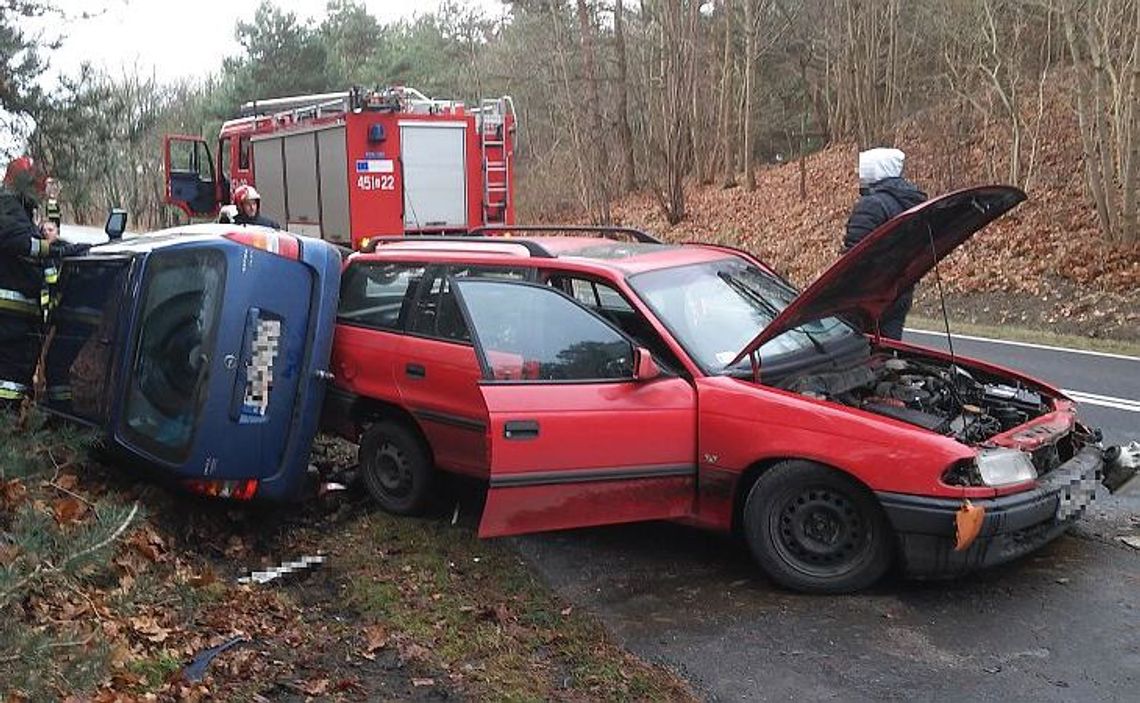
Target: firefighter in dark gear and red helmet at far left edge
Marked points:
25	261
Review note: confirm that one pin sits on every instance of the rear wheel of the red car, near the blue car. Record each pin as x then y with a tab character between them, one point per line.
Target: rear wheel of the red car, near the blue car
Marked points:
396	469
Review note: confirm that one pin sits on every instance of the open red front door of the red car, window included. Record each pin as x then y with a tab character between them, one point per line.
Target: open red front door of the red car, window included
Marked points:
583	429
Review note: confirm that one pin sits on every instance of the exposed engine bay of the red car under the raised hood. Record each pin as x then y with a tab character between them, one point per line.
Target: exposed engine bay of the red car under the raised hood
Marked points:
939	396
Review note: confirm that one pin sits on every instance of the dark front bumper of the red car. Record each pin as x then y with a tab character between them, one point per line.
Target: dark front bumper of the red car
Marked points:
1014	526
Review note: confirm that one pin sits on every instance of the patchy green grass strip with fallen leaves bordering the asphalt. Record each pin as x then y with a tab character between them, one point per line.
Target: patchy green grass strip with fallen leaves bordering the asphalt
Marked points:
484	617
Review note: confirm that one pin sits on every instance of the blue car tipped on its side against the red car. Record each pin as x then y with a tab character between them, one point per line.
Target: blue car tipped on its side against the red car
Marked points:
200	354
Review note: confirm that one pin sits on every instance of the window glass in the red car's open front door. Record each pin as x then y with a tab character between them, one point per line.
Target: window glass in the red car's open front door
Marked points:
534	333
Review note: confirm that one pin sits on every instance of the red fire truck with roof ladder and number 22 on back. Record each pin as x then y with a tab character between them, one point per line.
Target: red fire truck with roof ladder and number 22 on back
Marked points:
351	166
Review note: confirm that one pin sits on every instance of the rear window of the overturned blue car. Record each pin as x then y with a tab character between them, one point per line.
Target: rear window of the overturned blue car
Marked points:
177	326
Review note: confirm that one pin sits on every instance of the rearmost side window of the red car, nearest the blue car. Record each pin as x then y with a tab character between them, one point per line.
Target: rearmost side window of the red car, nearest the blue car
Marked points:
379	295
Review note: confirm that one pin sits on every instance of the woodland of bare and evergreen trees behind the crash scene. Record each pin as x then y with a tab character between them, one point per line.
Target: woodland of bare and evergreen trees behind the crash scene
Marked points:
652	96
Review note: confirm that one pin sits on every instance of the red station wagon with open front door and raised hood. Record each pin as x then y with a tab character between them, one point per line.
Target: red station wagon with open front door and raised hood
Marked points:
593	381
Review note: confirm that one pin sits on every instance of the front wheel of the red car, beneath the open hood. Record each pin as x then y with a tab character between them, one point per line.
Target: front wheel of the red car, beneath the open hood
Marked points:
817	530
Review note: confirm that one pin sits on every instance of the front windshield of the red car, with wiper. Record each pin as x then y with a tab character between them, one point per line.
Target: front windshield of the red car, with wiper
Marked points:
715	309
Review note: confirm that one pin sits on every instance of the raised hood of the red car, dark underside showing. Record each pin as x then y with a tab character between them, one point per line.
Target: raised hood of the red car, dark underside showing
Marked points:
864	283
